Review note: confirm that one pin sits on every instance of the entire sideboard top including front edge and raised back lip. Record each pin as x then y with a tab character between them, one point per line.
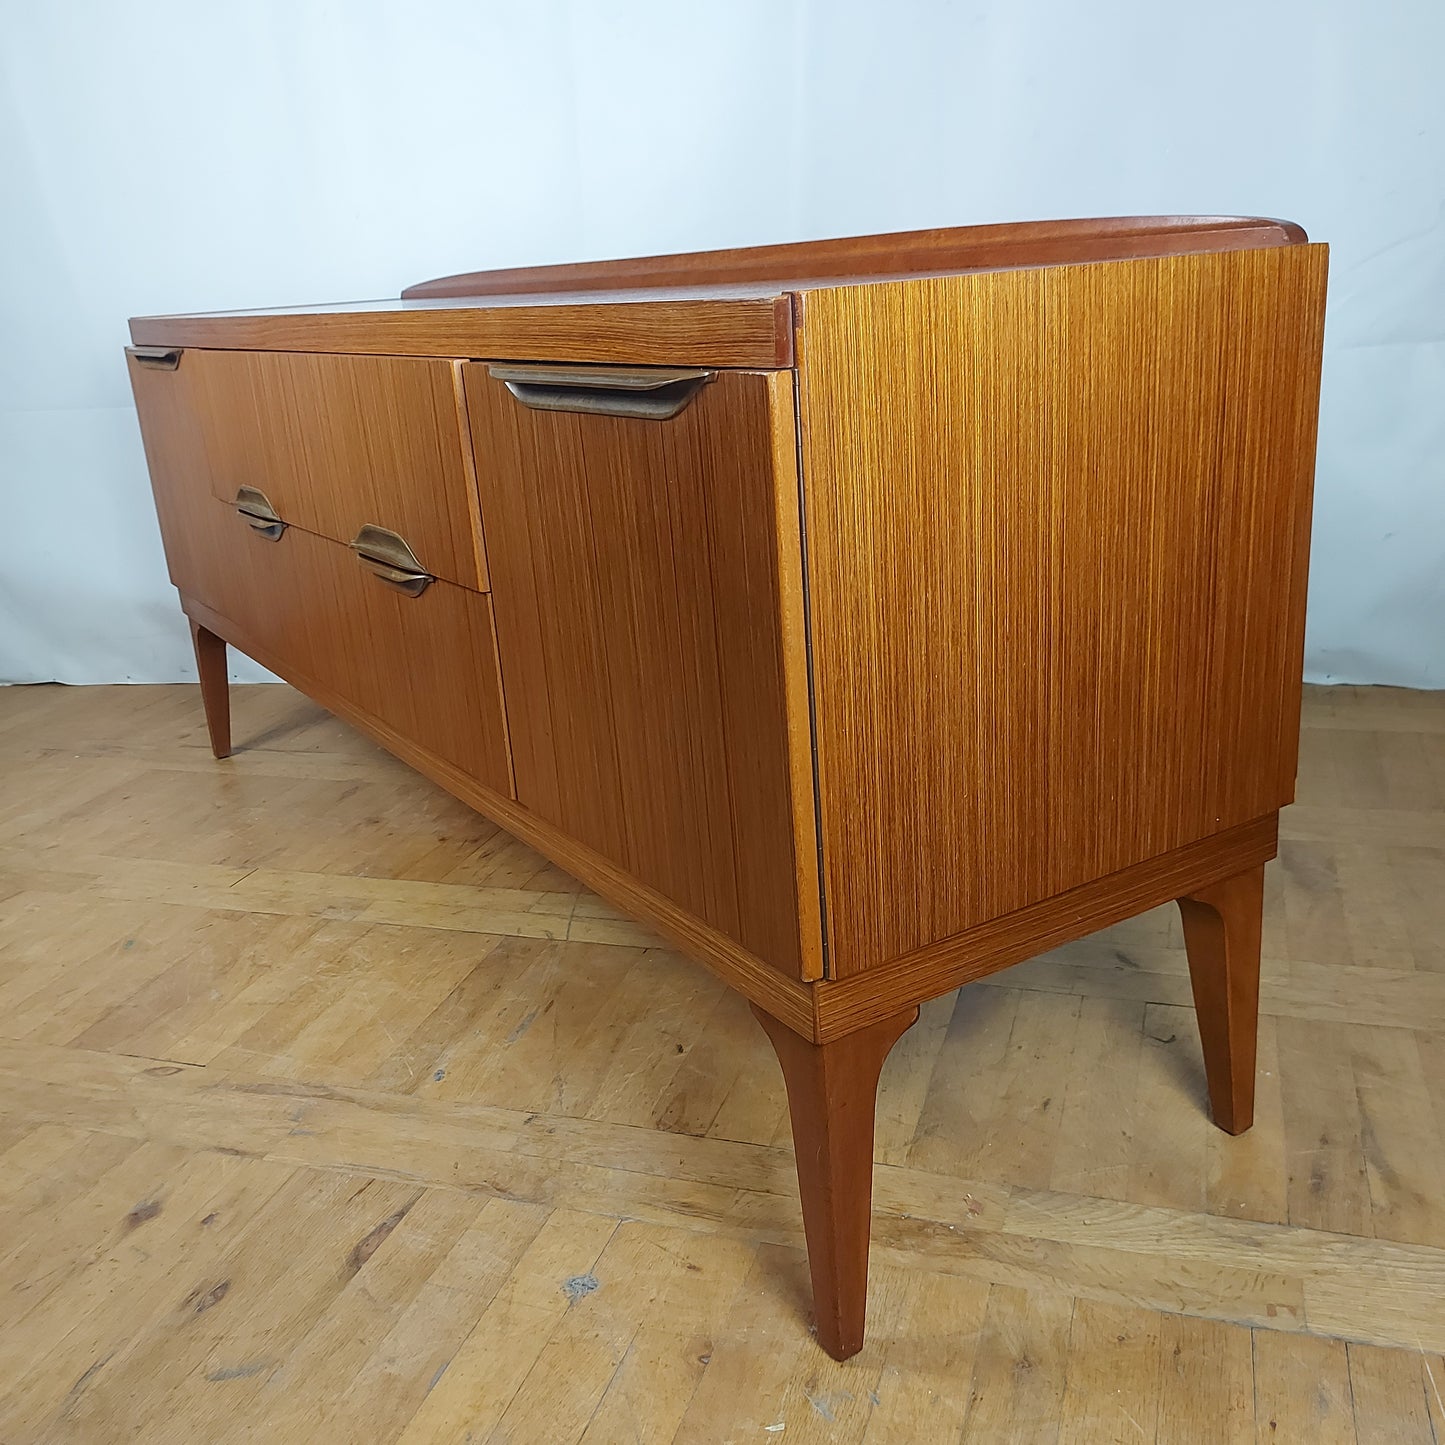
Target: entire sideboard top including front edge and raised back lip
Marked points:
729	309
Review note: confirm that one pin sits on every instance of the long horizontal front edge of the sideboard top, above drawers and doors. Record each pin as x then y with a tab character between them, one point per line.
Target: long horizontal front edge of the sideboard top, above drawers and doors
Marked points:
752	330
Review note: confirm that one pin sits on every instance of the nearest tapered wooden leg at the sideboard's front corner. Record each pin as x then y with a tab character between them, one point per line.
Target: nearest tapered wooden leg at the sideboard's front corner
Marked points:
832	1093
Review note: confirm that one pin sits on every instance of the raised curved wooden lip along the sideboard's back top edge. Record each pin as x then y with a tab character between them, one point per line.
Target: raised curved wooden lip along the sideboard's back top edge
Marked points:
898	254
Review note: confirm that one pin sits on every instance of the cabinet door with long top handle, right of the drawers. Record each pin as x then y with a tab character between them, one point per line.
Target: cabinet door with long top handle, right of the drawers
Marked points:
647	576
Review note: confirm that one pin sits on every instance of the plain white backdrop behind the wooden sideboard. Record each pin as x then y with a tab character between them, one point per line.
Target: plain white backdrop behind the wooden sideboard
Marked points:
177	155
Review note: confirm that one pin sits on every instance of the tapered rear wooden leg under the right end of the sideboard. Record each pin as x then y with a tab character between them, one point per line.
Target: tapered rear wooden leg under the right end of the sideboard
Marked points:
1222	931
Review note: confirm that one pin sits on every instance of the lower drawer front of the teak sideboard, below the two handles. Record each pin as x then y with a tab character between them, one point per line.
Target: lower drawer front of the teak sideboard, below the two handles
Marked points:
424	665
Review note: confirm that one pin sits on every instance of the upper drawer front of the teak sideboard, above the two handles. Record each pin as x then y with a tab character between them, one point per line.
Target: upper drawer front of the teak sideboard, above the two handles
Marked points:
337	443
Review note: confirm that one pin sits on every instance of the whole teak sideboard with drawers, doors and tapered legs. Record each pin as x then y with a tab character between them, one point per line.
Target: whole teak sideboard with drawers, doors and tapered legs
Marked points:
868	616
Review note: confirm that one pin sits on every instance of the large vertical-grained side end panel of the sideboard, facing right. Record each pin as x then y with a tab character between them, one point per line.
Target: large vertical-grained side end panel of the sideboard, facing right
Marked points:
1097	514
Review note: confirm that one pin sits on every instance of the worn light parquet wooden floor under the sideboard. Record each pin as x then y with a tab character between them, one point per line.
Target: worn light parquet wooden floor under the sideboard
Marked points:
330	1113
